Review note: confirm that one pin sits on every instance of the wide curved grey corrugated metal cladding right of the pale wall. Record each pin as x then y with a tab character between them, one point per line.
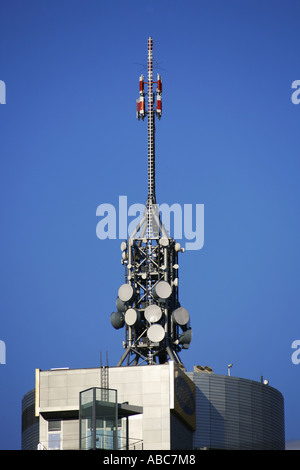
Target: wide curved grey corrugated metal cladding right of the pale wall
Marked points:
236	413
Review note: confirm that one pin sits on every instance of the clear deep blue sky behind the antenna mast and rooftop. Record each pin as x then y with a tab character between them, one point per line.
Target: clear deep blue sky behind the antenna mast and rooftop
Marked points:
229	139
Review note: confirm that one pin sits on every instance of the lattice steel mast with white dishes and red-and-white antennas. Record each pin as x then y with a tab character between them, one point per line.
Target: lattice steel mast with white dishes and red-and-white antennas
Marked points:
156	326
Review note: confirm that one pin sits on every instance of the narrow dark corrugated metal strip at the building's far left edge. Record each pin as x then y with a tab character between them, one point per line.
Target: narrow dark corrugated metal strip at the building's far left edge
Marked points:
30	423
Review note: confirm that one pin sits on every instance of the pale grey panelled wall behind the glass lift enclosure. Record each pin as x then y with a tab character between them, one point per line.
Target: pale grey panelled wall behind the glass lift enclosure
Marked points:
146	386
